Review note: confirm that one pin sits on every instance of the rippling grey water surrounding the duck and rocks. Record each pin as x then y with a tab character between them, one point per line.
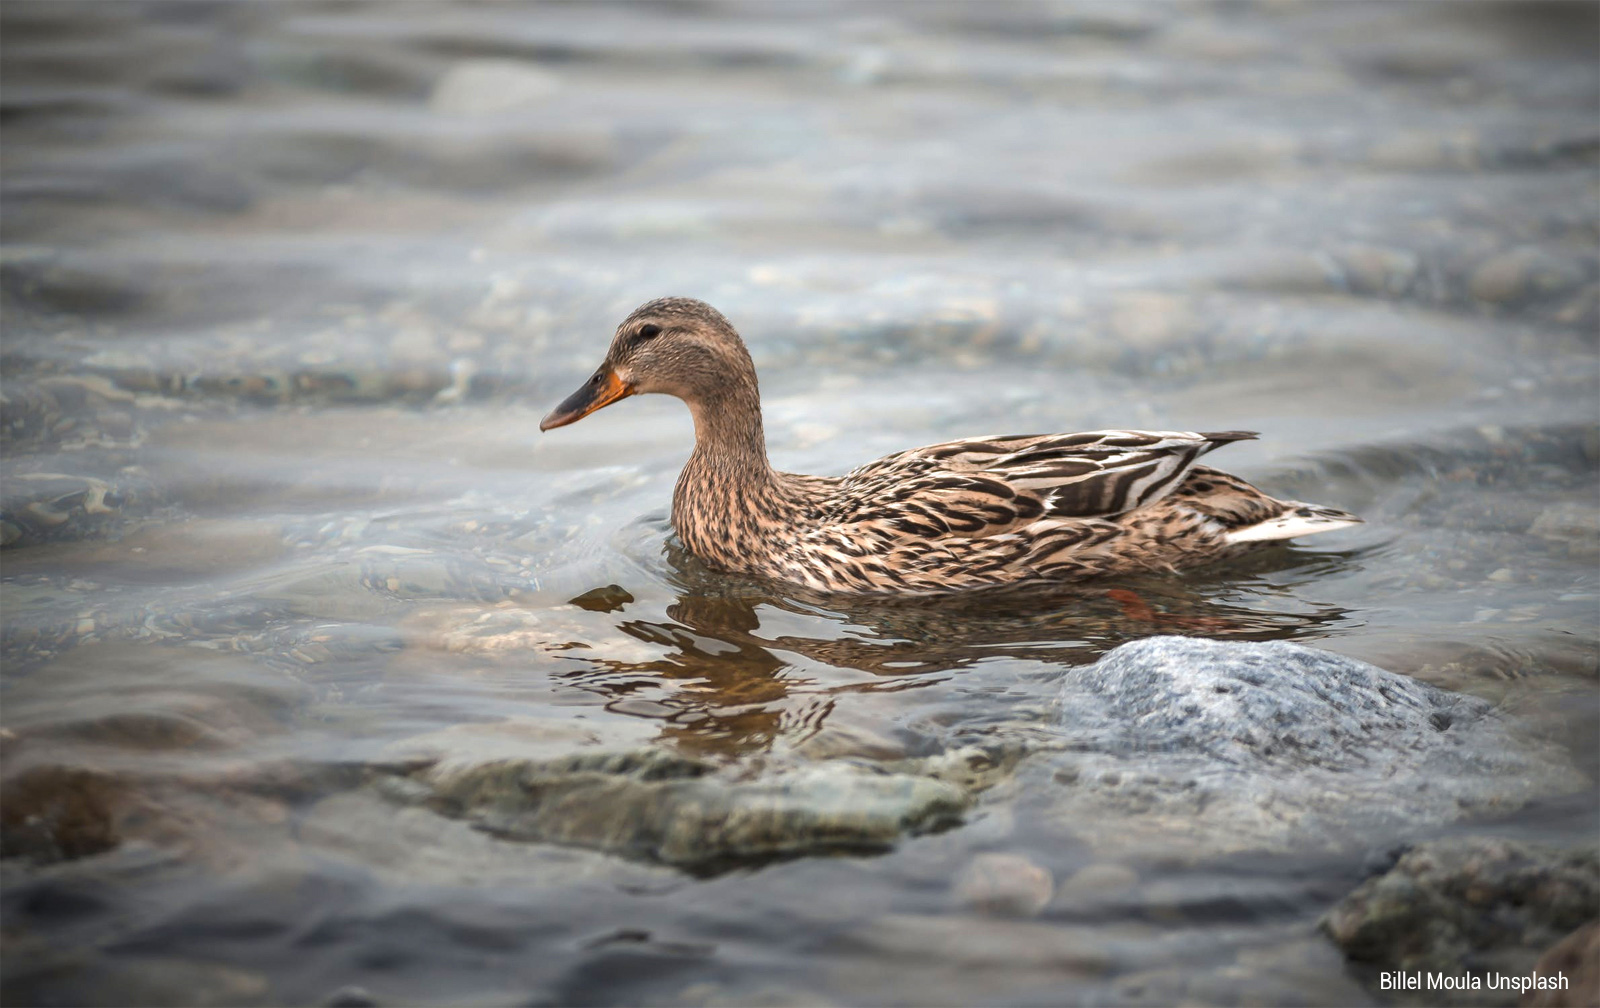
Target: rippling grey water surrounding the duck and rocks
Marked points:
289	287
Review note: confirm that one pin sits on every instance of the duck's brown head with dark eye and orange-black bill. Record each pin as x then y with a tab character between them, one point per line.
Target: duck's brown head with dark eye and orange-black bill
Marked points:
678	346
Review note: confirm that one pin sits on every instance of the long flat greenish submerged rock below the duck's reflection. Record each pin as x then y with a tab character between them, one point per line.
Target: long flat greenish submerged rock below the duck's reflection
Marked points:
657	806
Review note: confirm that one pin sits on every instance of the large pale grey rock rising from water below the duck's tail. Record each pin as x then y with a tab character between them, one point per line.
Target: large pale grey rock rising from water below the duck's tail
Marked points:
1247	746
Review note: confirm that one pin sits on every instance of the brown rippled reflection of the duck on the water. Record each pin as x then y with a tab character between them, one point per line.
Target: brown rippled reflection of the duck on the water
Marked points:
740	689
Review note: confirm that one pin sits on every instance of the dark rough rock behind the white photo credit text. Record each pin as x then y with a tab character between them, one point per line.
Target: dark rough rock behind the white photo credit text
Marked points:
1470	905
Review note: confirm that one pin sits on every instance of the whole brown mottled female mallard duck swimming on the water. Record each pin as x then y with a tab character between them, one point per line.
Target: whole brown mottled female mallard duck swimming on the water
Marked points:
951	518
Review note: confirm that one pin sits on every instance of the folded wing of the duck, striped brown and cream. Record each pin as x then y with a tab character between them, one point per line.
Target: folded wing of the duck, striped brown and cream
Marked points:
993	486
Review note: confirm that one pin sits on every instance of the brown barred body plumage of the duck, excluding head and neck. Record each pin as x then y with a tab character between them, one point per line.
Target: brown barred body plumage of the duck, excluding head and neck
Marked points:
988	513
